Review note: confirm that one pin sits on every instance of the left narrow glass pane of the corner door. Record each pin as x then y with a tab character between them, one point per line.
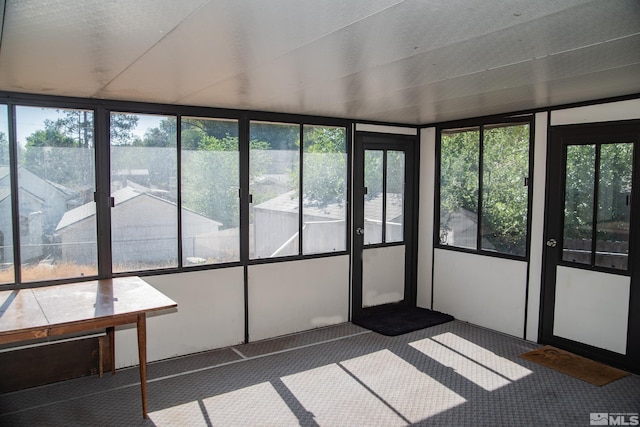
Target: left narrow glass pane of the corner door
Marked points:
373	206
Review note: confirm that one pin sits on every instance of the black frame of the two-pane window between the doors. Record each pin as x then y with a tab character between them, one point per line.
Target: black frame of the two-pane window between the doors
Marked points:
483	124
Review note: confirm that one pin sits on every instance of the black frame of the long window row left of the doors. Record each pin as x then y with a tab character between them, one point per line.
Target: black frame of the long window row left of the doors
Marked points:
102	110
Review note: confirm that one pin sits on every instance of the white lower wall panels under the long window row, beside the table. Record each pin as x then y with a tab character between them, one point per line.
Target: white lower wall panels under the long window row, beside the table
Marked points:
284	298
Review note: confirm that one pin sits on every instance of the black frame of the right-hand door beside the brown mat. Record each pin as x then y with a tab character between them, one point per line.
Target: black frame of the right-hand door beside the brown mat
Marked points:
559	138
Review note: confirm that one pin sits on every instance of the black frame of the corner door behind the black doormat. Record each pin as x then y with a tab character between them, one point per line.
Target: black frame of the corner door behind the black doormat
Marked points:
384	141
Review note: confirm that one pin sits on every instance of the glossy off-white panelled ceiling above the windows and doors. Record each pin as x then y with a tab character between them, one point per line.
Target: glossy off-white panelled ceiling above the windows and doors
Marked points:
399	61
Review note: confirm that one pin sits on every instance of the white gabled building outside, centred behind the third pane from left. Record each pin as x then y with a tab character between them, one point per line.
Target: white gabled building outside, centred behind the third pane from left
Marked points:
144	229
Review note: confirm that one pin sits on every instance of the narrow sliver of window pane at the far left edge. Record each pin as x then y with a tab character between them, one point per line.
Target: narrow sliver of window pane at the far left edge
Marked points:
6	222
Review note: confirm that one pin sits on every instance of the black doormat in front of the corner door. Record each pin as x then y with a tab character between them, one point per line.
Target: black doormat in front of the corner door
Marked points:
402	320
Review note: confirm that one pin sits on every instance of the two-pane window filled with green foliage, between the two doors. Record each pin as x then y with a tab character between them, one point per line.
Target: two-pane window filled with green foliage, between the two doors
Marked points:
484	194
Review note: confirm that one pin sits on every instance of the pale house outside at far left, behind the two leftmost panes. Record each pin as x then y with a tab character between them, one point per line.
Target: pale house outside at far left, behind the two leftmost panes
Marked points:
42	205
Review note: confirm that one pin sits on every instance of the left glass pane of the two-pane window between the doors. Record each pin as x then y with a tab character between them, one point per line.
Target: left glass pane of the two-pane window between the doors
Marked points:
459	165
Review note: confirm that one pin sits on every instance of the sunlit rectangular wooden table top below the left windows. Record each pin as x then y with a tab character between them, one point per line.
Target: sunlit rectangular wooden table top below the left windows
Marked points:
40	308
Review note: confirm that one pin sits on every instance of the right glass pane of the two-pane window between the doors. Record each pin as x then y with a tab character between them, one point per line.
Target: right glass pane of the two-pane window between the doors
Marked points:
505	170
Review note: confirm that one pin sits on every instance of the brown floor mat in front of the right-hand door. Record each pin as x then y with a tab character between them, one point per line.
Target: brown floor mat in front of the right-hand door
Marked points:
576	366
